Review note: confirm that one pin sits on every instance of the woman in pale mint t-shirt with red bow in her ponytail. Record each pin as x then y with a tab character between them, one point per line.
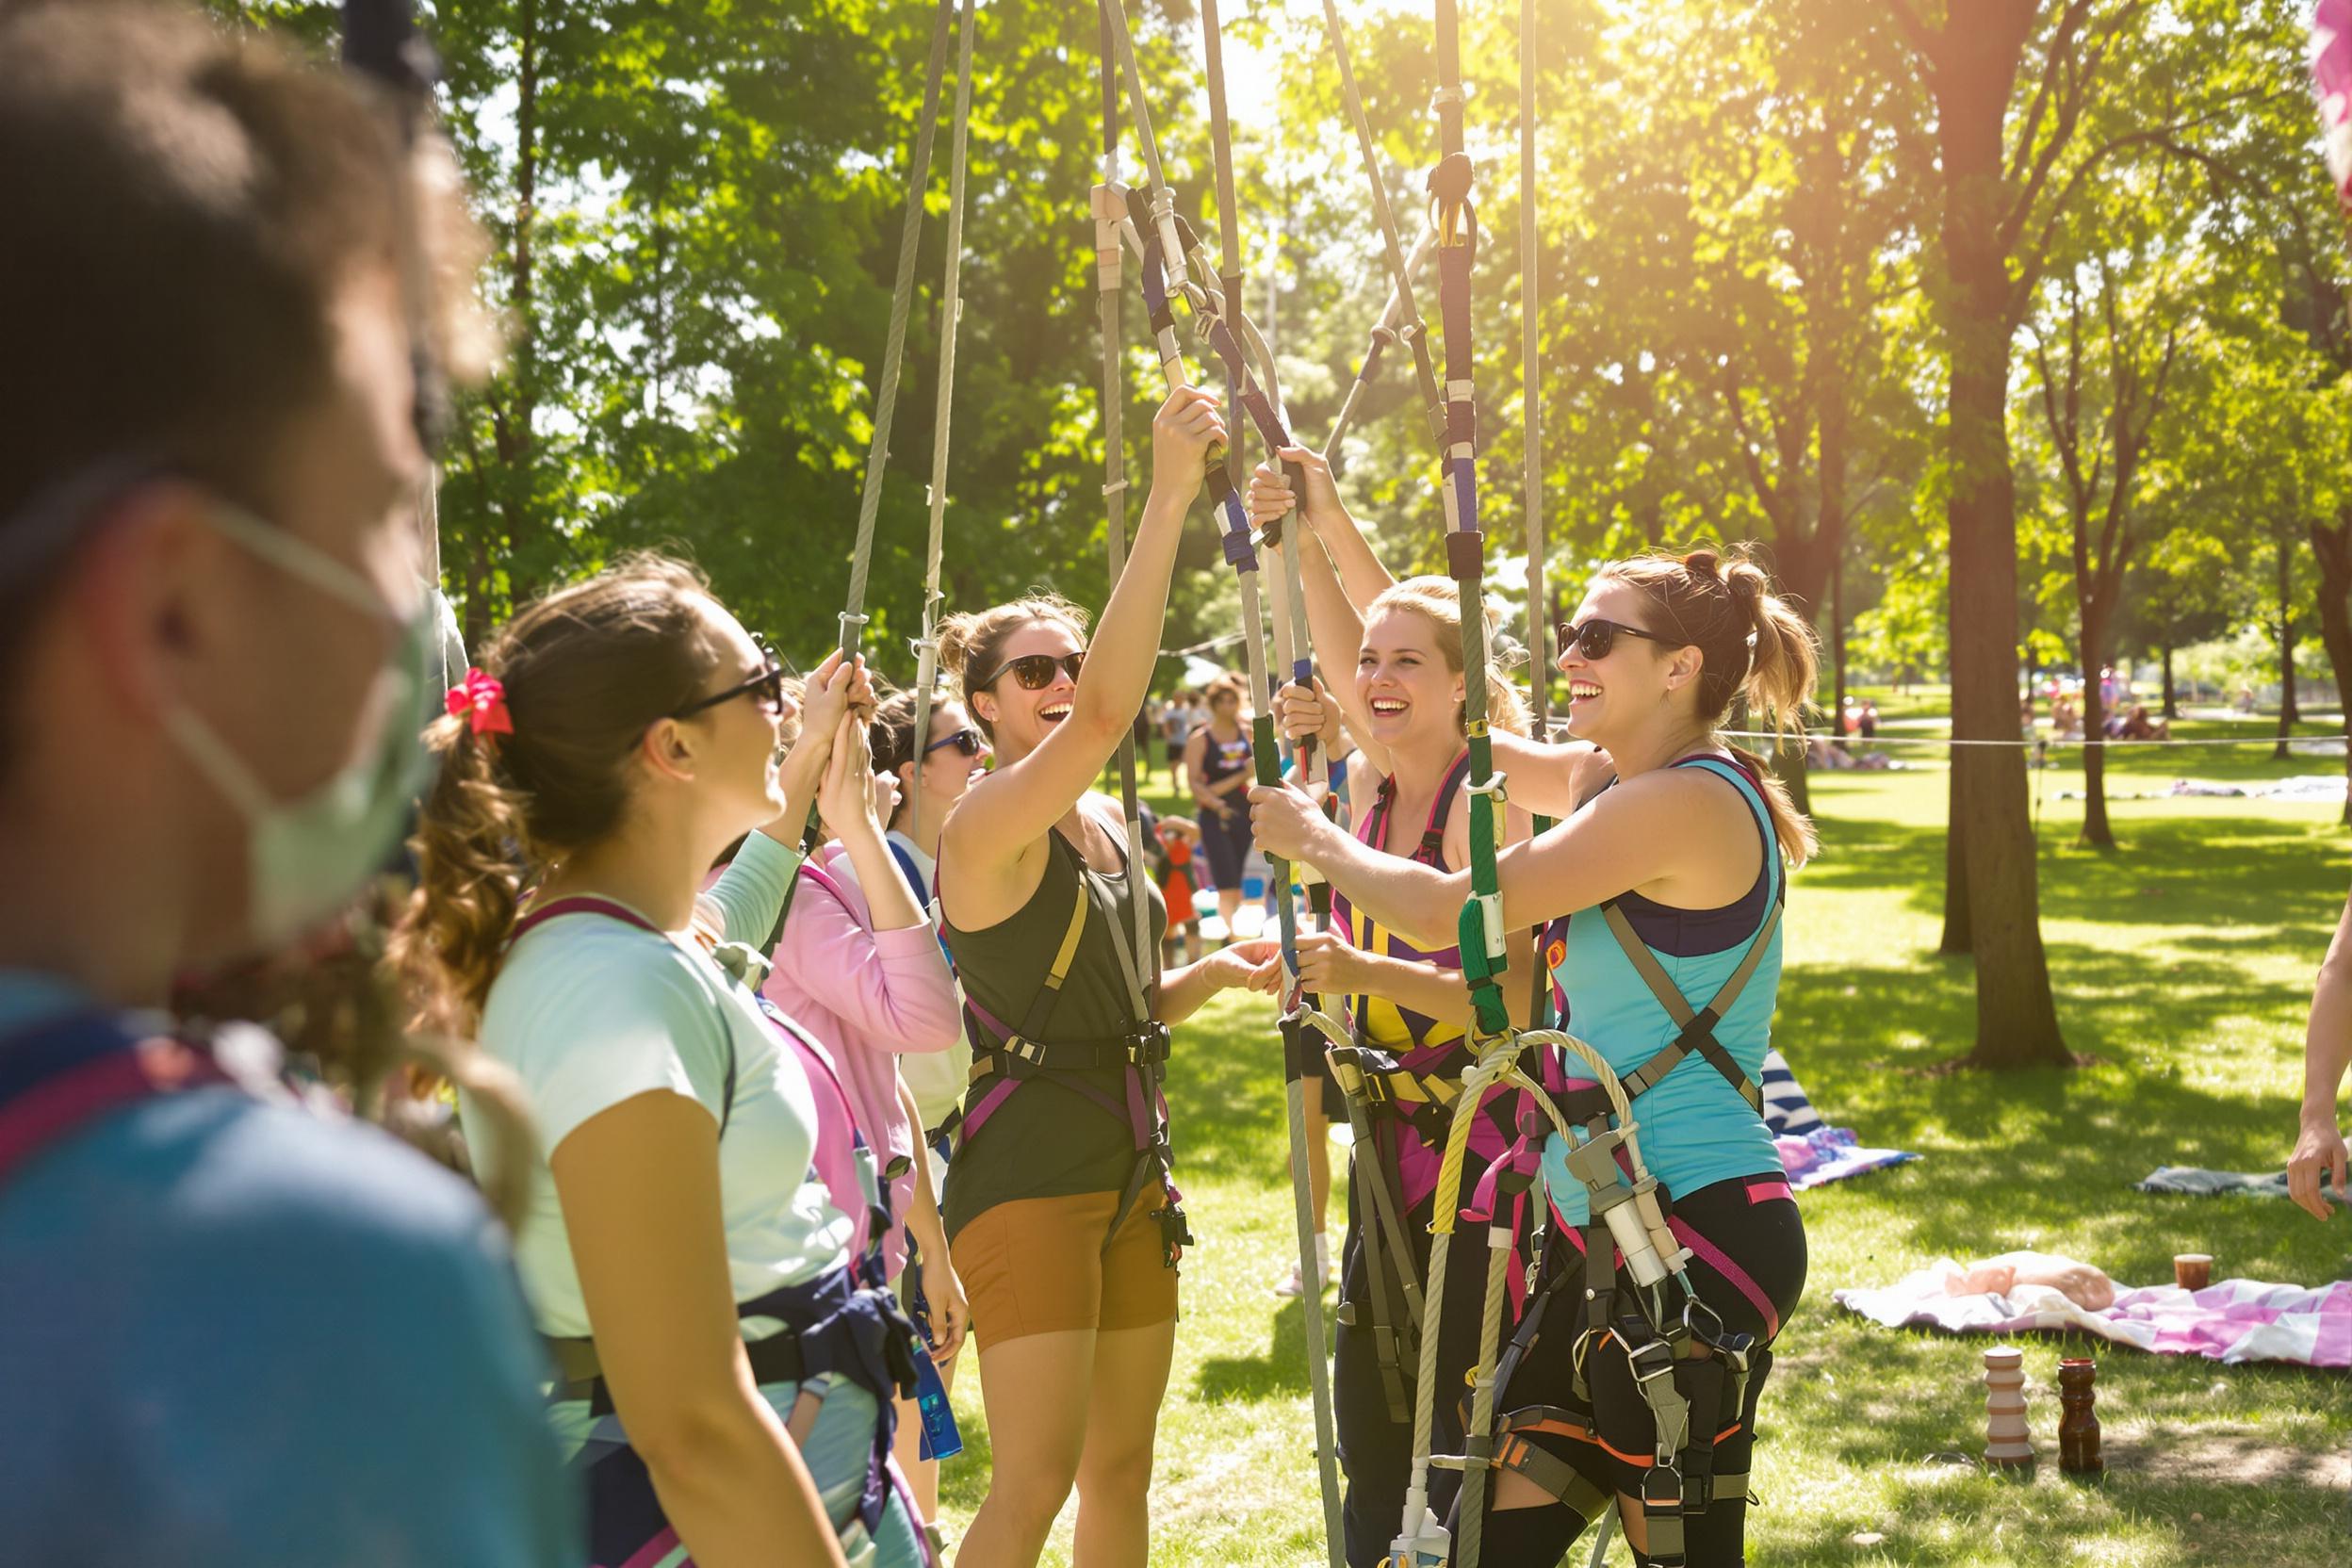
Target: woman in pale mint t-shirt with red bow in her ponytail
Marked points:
726	1376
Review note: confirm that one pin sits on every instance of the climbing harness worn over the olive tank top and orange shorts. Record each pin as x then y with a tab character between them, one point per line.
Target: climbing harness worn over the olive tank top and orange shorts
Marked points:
1005	1057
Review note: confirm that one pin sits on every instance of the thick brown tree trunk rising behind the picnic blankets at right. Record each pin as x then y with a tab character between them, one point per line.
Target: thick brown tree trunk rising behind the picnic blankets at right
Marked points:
2017	1021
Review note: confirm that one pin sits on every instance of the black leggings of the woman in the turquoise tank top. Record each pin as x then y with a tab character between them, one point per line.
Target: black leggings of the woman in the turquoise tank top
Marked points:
1749	1266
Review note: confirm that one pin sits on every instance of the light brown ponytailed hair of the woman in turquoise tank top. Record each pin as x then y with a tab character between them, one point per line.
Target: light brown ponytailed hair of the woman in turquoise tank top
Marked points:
1751	648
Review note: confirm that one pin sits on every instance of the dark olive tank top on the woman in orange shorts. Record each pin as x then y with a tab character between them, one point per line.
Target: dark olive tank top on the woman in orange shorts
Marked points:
1050	1141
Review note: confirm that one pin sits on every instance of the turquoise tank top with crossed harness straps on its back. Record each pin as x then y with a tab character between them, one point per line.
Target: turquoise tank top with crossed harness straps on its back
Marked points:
1697	1130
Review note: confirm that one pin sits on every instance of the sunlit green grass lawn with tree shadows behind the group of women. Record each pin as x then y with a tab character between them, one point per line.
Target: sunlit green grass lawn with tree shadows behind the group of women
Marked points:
2184	967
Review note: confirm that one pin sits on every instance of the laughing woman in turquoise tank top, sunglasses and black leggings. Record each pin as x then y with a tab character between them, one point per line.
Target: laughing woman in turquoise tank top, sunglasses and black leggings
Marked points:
1662	899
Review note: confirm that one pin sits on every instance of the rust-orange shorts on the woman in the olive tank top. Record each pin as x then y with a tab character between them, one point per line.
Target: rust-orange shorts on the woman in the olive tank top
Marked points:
1038	1266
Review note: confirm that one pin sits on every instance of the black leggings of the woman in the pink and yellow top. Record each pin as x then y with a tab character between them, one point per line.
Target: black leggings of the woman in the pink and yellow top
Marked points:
1377	1452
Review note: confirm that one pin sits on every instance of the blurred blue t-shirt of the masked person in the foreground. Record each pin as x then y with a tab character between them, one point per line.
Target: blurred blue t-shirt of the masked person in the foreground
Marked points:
241	1334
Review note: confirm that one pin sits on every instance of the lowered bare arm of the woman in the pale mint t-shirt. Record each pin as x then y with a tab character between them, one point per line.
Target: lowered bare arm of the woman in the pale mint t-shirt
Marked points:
641	1195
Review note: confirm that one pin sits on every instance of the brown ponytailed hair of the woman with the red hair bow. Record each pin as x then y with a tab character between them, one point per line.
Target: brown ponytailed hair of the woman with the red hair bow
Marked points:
584	671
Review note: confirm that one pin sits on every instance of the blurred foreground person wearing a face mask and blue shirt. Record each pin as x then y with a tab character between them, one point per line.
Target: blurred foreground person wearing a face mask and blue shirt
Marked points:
232	1332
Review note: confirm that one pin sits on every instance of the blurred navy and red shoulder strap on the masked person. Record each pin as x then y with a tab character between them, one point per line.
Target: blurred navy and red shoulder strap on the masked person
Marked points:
60	1078
